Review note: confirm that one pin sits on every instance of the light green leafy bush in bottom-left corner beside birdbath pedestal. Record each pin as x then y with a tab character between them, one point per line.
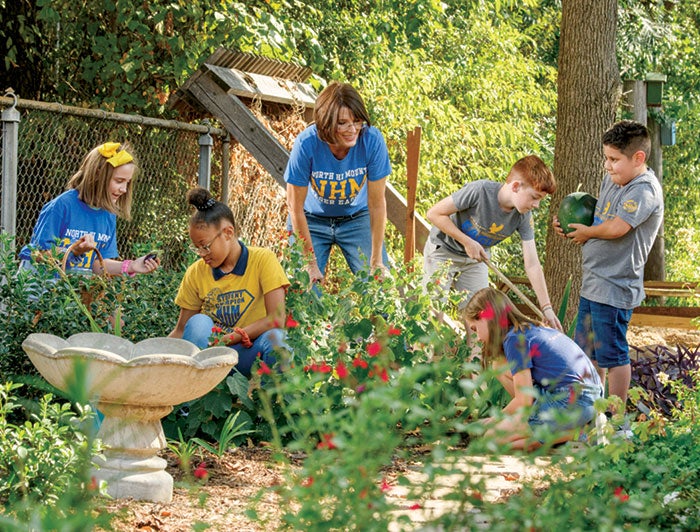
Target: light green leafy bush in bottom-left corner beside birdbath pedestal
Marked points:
45	465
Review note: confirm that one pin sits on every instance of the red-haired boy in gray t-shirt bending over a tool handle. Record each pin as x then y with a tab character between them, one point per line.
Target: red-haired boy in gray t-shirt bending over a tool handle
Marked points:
482	214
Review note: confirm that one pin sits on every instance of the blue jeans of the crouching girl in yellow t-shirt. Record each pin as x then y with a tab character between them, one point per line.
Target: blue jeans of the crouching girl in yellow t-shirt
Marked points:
198	331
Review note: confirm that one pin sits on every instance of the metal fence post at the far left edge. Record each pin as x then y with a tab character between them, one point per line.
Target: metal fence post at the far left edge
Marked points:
10	129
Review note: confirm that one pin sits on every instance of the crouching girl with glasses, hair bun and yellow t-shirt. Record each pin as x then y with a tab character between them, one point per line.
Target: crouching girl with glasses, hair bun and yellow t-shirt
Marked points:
234	294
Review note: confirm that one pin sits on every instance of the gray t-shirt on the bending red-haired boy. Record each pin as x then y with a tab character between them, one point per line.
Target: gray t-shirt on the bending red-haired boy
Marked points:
481	218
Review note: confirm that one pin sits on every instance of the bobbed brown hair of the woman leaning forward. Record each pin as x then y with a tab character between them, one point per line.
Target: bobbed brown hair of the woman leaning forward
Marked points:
328	104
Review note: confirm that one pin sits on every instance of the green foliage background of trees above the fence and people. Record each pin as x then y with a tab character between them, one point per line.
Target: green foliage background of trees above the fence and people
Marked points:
478	76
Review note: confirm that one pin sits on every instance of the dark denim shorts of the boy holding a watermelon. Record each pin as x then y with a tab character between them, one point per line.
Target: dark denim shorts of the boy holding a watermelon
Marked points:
601	331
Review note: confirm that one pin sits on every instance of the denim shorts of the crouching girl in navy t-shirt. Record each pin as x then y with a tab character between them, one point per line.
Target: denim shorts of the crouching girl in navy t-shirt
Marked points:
564	408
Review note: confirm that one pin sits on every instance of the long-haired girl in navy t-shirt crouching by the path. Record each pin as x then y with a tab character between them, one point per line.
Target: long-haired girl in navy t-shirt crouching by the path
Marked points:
545	371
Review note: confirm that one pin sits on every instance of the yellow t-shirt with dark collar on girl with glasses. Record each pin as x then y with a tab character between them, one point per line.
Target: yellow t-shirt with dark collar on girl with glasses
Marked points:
235	299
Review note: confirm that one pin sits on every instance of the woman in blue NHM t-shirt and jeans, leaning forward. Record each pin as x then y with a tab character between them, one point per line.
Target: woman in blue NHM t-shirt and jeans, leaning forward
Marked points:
336	180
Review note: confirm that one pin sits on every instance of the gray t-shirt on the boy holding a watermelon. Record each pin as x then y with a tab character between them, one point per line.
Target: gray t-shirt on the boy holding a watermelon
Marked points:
613	270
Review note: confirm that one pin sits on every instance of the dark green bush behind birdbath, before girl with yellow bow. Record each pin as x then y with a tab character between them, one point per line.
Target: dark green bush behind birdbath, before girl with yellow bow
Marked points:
36	301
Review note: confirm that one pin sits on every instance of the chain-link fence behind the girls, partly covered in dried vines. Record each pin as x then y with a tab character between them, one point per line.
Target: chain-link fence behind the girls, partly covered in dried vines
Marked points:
53	139
